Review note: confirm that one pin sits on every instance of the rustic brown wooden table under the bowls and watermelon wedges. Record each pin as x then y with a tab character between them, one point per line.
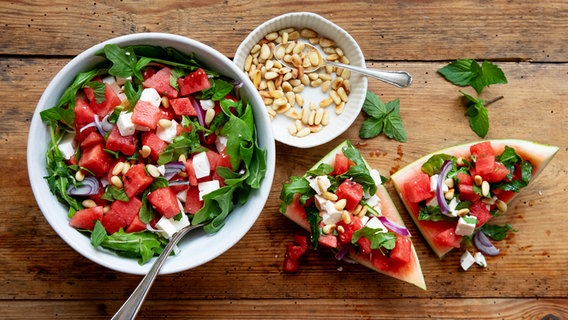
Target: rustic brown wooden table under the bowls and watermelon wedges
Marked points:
43	278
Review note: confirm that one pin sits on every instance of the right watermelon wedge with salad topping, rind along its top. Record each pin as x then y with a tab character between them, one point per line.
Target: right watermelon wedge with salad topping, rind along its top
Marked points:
481	179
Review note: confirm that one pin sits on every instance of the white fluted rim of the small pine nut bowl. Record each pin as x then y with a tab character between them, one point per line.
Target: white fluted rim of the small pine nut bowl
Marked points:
358	60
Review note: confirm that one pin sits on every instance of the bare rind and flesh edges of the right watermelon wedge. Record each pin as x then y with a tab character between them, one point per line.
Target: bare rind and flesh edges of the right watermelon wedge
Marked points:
538	154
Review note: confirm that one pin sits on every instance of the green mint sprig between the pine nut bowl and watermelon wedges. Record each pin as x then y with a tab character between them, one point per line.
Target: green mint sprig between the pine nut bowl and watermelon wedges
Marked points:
382	118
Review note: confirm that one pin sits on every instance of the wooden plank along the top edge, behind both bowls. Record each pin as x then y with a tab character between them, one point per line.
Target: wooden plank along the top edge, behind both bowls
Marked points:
386	30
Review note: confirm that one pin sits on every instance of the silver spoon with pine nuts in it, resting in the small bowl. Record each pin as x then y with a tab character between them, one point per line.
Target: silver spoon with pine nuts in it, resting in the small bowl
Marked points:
400	79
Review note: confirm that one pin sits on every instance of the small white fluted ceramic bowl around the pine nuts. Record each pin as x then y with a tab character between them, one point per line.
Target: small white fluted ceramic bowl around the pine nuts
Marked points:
338	123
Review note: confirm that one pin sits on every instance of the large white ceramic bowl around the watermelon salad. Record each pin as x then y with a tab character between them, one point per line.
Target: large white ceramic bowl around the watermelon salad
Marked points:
197	247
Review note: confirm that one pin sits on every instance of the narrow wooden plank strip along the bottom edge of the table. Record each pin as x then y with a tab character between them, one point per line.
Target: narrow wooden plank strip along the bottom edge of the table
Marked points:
489	308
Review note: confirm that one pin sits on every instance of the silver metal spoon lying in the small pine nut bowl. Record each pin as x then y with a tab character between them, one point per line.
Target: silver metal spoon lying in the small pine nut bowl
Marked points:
401	79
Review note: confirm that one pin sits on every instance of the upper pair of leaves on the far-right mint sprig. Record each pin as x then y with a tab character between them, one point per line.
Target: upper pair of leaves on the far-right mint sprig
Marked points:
464	72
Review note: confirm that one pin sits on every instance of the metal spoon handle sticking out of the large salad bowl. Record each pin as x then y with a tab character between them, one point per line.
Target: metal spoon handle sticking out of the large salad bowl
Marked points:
131	306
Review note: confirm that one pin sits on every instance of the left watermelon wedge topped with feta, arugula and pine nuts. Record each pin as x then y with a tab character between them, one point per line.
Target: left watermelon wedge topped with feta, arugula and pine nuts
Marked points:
370	231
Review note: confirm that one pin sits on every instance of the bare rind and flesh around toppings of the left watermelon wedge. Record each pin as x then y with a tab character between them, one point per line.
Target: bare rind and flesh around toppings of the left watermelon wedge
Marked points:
411	273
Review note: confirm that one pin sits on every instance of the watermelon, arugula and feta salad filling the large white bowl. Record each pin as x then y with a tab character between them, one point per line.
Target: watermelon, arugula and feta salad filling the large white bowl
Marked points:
148	142
